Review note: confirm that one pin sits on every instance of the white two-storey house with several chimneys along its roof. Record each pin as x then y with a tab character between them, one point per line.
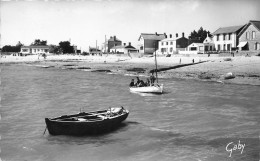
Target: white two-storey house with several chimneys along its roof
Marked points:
172	45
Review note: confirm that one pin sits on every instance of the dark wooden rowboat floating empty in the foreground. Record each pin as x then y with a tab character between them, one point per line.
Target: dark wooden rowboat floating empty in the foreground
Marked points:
90	123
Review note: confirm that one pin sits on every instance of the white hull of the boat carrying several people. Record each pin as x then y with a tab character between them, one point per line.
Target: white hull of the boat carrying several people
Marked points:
148	89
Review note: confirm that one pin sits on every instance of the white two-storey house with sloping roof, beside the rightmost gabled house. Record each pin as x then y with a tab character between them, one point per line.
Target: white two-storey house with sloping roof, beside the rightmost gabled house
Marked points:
226	38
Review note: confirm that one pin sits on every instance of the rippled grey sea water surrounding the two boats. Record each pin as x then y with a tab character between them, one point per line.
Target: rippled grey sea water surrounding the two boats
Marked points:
192	120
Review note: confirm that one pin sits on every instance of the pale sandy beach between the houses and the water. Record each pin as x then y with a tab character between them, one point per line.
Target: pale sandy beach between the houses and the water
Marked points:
245	69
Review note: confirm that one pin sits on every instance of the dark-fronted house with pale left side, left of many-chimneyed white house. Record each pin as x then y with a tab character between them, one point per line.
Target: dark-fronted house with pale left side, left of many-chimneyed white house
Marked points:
148	43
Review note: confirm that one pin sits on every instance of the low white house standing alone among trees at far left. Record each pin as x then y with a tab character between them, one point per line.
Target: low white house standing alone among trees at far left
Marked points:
35	49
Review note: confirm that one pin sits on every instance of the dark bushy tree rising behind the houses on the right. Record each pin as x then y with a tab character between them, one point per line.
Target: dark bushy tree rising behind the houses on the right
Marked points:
198	36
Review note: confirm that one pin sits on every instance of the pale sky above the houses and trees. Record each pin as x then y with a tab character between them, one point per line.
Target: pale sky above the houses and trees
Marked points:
85	22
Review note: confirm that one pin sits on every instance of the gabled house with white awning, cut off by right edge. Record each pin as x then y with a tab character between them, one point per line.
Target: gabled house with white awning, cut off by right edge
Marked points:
249	37
